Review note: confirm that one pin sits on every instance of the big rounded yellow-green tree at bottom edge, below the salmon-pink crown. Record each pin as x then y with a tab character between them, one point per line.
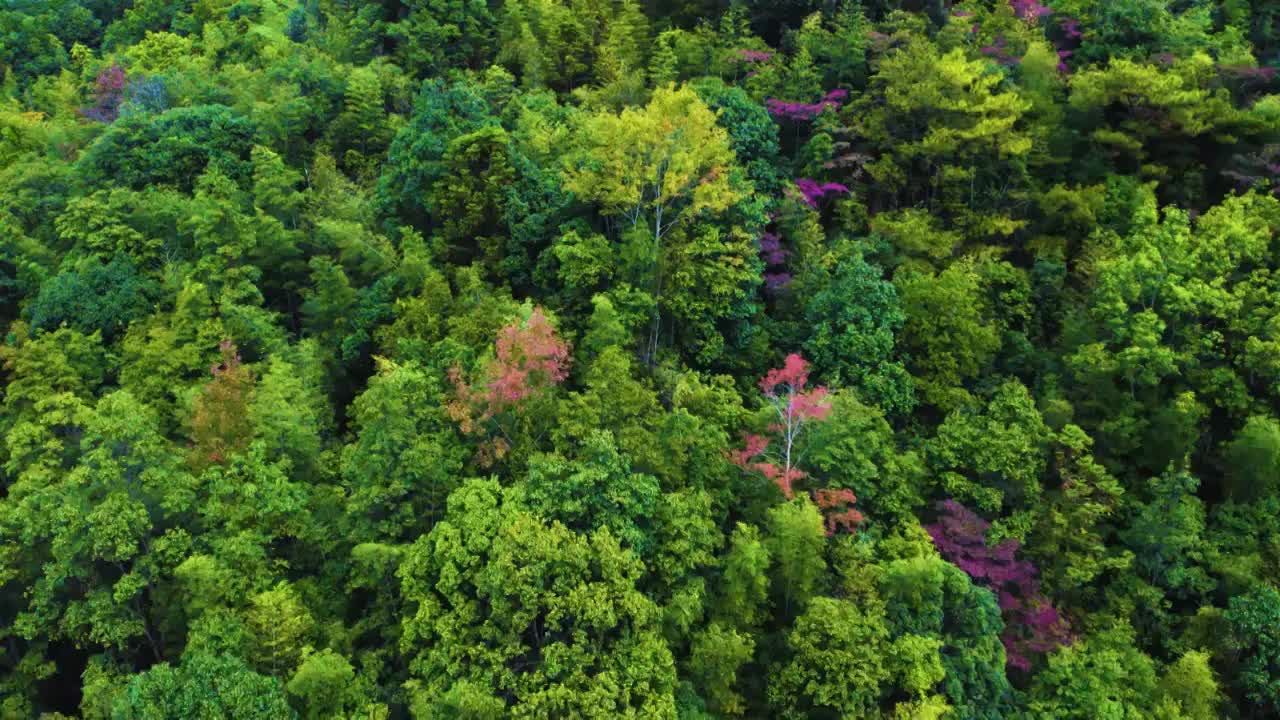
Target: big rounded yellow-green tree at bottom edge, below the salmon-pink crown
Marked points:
548	618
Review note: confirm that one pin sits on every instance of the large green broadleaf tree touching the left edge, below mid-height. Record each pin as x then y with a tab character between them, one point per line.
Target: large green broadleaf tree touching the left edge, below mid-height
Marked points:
100	537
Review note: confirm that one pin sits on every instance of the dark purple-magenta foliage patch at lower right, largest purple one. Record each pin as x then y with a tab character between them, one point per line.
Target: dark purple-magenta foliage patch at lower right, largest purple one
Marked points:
1032	625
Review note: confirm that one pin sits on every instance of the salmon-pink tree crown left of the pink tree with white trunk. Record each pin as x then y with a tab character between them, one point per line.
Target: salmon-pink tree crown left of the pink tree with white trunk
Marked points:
529	359
